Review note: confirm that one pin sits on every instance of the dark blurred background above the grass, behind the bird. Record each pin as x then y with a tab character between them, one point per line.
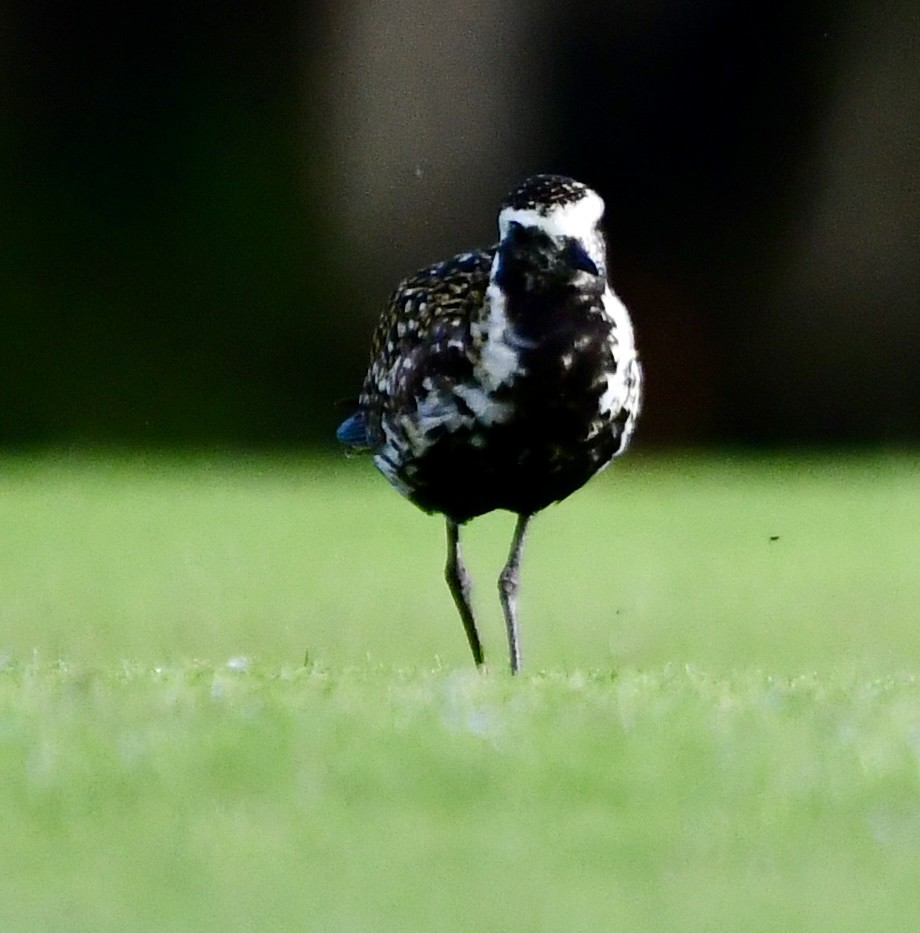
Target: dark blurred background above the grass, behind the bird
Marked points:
207	204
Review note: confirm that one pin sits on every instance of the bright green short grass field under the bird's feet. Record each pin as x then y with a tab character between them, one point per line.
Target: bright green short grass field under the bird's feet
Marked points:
235	695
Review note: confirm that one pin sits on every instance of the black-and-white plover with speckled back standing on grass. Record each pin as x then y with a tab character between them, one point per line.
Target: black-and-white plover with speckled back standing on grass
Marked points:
503	378
